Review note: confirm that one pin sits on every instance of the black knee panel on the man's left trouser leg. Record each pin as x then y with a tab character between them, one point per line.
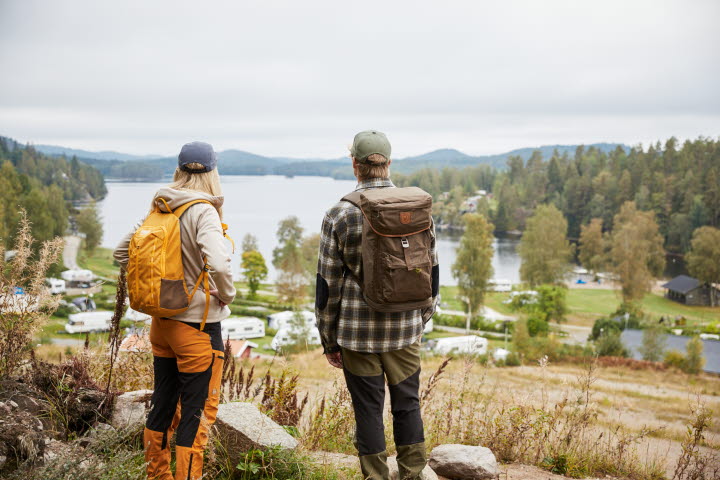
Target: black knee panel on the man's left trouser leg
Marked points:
368	397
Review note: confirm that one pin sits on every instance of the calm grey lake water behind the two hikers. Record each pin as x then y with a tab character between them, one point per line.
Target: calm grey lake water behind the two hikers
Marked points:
256	204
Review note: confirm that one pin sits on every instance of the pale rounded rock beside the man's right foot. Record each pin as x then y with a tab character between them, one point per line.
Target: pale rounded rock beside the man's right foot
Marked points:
464	462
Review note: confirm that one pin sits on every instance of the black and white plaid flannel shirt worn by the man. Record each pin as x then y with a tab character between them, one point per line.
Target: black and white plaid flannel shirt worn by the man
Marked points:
346	320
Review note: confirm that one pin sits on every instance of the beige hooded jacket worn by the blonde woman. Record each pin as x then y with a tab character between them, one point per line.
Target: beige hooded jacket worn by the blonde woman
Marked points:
201	236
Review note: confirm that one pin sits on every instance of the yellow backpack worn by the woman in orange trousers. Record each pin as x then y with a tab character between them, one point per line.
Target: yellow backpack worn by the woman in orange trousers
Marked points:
155	275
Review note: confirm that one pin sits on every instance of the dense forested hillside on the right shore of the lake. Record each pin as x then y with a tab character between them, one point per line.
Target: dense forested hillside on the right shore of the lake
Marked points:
679	183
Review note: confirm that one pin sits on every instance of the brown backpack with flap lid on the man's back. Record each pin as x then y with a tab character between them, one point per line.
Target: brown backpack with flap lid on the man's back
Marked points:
397	258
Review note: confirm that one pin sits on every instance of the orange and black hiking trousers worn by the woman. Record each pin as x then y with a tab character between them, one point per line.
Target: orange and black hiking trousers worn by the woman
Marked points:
188	366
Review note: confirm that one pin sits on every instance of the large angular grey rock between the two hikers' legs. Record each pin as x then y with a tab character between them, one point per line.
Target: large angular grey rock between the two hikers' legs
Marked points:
242	427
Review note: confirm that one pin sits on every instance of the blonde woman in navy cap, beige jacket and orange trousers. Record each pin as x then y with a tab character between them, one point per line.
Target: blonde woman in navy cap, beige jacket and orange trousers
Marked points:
188	348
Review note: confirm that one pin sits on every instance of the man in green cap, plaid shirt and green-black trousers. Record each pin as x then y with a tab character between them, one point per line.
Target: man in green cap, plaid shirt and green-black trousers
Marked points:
369	345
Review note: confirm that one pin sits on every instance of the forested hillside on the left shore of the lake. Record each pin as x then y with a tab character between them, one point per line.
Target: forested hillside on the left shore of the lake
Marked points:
44	186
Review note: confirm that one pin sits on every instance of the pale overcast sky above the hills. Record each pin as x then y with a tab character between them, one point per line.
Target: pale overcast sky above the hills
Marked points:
300	78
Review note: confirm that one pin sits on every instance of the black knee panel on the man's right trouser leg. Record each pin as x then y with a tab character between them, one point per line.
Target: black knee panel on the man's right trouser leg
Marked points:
405	406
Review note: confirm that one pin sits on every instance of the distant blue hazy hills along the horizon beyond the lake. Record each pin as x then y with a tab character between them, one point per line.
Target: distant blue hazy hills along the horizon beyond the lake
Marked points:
238	162
